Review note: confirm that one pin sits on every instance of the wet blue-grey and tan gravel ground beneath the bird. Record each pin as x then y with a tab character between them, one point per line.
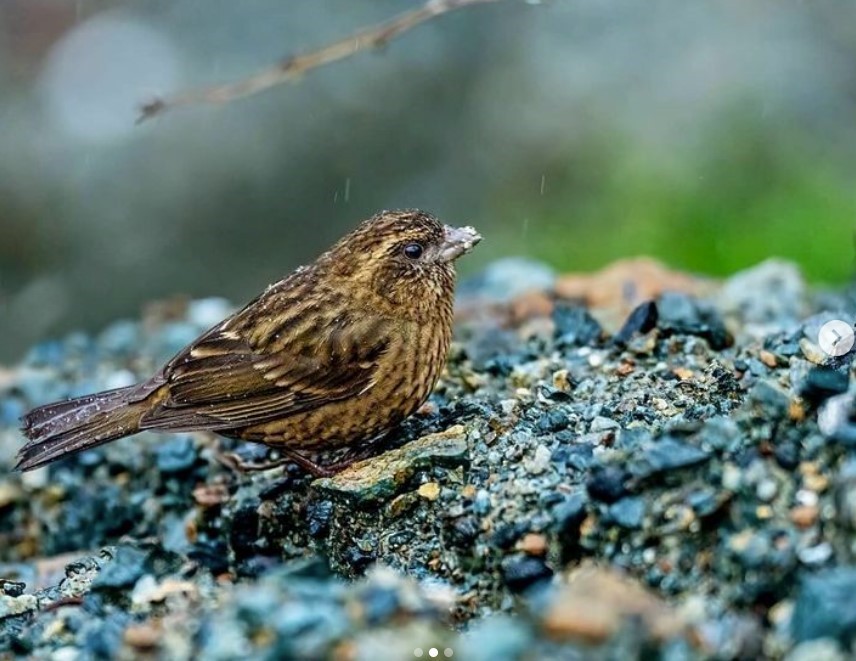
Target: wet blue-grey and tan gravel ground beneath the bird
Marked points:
634	463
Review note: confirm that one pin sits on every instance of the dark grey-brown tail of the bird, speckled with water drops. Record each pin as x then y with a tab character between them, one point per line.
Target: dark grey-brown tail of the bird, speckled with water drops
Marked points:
65	428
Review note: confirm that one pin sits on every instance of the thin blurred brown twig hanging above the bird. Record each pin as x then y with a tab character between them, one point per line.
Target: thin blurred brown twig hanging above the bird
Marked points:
293	67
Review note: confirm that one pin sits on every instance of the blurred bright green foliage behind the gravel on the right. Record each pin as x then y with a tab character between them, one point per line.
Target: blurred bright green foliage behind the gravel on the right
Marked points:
748	190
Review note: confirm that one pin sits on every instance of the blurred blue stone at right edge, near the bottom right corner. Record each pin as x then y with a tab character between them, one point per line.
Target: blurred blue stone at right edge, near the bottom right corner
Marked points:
825	607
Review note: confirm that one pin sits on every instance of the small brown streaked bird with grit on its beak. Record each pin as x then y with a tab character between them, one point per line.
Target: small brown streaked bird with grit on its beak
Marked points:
330	357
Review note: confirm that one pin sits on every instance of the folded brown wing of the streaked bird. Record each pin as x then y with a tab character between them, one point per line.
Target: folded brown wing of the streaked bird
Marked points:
235	376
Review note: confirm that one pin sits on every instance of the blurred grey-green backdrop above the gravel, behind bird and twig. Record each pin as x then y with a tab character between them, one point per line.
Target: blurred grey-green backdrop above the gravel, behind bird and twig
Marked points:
710	134
